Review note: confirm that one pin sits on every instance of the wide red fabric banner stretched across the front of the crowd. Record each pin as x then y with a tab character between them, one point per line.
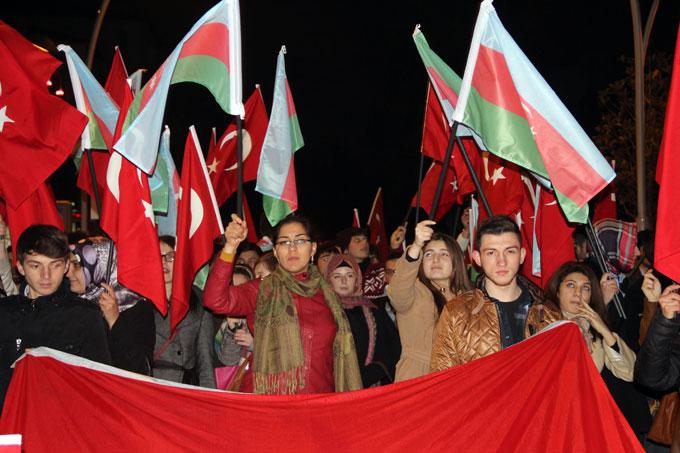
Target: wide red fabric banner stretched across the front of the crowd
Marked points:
543	394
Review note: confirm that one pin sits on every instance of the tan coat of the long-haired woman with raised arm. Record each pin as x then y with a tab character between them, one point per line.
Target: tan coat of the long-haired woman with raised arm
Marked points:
416	318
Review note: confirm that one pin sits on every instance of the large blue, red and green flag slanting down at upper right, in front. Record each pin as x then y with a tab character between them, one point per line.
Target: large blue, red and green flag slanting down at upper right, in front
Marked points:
519	117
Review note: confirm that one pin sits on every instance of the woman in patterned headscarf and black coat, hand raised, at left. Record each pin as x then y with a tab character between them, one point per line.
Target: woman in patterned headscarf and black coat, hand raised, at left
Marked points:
128	315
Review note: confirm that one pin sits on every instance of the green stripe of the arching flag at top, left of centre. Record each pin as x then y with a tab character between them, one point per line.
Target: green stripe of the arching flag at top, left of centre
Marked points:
207	71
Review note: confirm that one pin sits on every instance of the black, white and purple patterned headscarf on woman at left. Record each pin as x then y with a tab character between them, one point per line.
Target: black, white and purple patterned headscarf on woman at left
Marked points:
93	259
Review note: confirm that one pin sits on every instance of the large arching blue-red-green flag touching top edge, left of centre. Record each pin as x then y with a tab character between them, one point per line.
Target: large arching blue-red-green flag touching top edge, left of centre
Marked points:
210	55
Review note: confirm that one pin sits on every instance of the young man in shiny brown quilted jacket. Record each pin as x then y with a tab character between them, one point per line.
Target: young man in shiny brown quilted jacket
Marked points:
505	308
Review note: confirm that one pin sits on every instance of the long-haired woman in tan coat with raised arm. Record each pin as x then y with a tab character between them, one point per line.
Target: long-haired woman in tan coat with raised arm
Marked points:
431	272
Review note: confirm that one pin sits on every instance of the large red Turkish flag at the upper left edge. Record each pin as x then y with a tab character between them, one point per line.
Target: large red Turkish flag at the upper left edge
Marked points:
38	131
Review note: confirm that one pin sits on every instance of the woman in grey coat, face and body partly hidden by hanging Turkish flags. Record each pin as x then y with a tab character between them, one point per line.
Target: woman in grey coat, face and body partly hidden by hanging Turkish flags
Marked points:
185	356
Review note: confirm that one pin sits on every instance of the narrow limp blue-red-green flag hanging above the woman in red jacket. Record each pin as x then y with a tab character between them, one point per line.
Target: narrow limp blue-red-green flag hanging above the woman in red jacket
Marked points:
276	173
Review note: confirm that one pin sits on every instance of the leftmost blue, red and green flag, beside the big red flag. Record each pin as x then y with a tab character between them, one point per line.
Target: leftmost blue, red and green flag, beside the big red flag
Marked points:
93	101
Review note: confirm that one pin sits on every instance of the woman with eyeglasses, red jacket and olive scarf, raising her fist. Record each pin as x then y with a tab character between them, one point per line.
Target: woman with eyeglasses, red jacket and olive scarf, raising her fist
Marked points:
303	342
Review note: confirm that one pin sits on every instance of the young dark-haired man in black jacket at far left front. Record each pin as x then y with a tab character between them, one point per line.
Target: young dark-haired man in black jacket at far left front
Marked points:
45	312
